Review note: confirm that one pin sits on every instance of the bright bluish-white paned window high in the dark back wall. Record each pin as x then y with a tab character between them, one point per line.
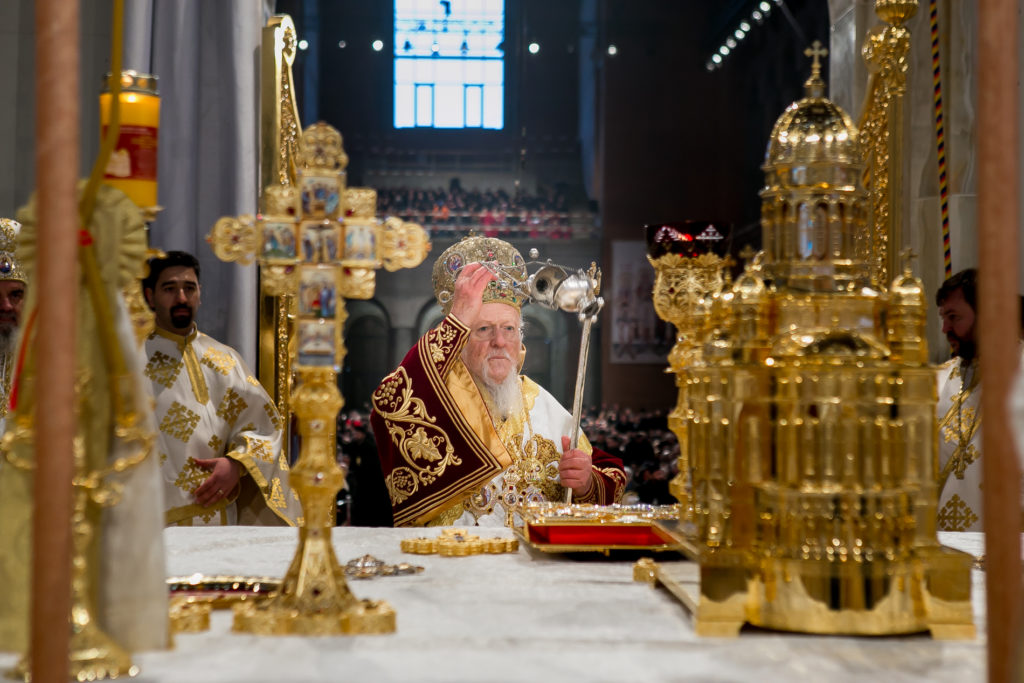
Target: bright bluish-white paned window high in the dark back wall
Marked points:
450	64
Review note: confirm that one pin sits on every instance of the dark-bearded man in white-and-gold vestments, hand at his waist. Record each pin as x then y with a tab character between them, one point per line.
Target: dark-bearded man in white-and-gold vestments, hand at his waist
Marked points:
221	434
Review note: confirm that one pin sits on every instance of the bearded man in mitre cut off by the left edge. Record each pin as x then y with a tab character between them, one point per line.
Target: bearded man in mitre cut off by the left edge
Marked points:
13	285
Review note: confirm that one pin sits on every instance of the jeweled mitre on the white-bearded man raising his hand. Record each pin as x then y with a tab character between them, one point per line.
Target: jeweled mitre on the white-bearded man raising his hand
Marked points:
501	258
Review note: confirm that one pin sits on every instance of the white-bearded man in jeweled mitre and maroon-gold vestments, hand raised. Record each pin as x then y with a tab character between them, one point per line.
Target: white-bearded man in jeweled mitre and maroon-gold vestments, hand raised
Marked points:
463	439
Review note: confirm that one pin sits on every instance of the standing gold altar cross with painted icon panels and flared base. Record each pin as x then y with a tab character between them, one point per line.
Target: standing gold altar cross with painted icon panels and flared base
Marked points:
318	243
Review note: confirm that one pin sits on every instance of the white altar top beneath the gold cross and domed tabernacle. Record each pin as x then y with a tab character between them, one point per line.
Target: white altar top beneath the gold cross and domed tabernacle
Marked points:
520	618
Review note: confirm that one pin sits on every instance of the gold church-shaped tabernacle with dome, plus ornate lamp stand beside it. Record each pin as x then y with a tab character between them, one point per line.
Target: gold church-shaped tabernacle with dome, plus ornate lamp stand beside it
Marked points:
806	414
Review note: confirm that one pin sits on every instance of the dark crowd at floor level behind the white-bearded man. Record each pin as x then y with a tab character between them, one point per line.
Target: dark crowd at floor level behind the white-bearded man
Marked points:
649	450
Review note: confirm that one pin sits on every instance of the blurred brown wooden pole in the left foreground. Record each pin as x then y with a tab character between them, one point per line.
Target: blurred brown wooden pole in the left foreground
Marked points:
57	286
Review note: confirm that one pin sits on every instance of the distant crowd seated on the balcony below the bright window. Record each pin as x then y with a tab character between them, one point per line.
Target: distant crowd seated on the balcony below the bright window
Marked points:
491	214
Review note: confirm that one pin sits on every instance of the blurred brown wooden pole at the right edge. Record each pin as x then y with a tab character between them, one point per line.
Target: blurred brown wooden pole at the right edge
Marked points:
999	322
